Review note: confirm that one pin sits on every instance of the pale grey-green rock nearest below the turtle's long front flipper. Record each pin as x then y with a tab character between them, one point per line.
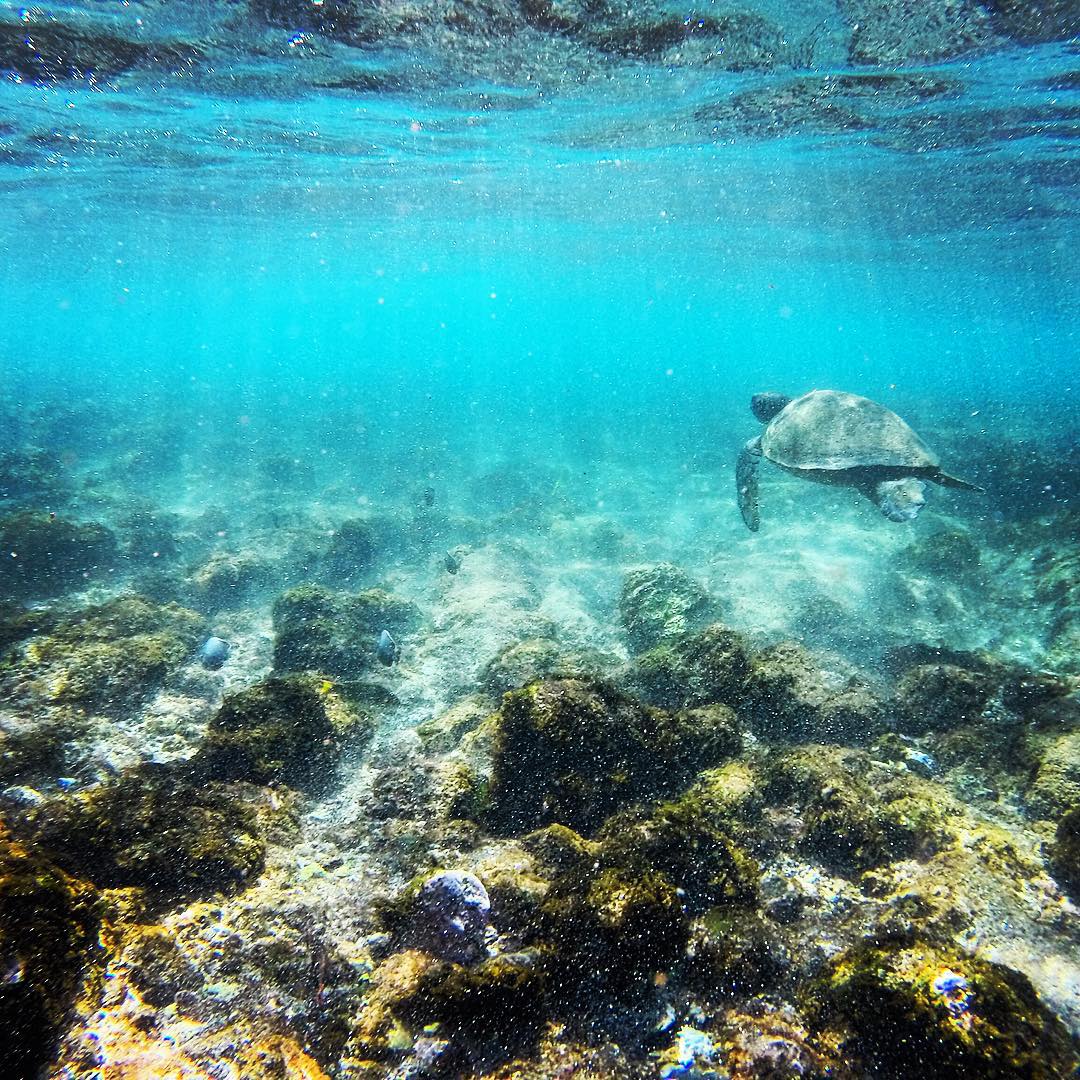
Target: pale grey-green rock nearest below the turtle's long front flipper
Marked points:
661	604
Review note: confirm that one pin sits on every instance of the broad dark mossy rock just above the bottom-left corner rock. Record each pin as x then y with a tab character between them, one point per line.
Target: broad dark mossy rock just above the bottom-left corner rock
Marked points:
156	828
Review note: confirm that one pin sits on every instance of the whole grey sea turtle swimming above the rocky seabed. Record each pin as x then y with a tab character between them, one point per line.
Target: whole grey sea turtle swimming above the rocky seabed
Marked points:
834	438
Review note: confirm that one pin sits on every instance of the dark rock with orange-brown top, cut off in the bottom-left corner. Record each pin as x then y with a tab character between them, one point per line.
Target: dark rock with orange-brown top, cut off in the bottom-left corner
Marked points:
49	938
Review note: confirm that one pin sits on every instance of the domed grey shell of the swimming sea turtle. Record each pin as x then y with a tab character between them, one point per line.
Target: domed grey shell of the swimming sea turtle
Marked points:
830	430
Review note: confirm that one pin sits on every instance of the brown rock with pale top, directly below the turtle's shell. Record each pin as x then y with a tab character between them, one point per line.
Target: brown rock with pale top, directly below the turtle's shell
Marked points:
793	695
